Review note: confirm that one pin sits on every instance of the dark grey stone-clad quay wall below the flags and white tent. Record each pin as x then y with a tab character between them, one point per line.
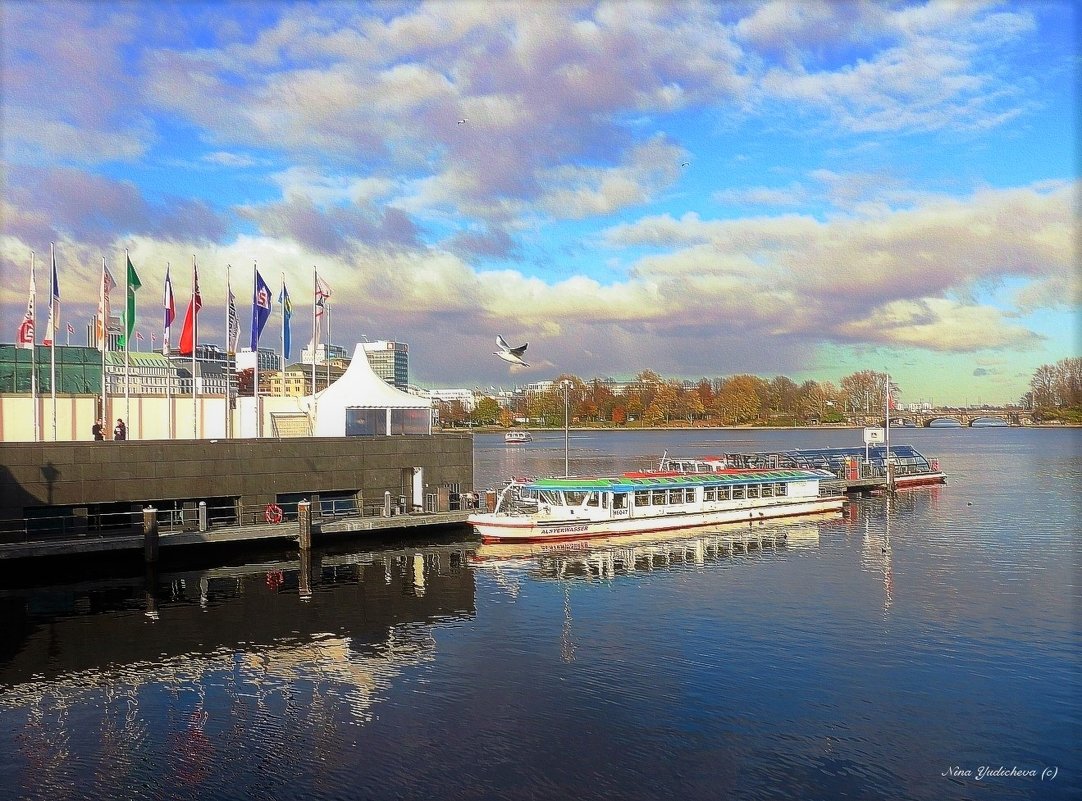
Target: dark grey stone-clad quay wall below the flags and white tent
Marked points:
250	471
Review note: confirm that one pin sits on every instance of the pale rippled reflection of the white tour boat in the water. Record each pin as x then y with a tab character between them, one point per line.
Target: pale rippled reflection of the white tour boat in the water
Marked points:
611	557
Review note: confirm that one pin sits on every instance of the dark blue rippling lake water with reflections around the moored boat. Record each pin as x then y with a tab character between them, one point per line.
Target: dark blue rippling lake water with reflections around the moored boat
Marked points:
866	659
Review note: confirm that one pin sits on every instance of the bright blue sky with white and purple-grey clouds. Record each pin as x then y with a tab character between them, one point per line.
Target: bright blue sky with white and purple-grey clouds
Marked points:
783	189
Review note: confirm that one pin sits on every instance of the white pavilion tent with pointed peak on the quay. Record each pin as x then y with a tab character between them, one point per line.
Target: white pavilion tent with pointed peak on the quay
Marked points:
363	404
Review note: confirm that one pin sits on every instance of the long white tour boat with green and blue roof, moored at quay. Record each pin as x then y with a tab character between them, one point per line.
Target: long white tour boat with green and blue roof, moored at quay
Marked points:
579	508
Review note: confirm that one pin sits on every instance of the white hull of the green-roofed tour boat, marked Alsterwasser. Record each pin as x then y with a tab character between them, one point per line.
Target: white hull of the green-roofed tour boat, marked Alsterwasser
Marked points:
524	529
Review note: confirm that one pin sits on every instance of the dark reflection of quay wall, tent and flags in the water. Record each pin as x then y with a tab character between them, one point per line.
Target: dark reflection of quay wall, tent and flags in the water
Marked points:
282	648
